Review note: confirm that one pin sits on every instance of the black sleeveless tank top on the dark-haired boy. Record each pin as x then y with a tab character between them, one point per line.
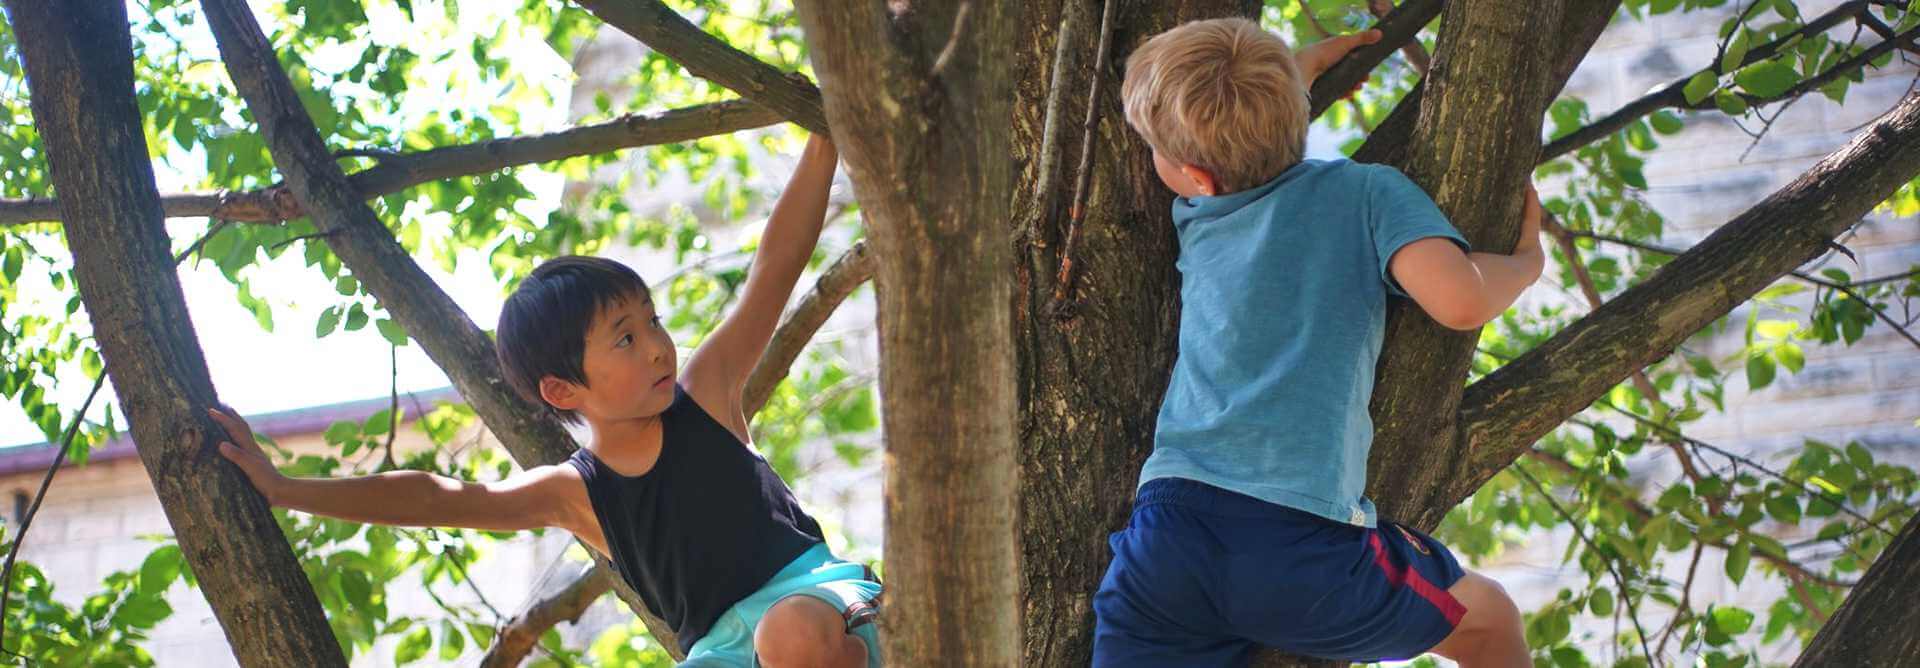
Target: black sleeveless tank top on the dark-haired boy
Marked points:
708	527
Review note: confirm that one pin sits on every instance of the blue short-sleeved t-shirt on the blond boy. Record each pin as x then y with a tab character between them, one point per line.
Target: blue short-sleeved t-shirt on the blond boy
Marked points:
1284	308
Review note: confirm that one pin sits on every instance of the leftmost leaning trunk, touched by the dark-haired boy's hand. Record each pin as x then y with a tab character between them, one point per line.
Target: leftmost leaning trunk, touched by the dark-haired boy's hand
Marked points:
80	70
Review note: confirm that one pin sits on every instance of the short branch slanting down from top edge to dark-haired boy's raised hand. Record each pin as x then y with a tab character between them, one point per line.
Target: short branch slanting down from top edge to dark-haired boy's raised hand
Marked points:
708	57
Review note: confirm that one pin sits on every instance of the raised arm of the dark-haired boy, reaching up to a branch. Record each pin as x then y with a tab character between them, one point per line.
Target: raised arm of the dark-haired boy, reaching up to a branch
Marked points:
719	370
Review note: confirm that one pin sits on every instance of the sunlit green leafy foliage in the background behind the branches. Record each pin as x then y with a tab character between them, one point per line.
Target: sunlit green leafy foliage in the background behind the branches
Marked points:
408	76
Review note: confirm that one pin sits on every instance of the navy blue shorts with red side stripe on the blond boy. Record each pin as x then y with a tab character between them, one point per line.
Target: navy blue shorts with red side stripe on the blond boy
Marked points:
1205	577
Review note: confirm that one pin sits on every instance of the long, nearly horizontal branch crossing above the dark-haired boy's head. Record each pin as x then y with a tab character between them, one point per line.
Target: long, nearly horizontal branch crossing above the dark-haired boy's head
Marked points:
400	172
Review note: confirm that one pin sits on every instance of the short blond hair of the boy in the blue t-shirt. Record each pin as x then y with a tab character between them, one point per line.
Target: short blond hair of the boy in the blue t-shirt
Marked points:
1220	95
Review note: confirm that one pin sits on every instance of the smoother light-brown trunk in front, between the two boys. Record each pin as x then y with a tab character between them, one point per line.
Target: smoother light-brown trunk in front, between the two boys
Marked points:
921	101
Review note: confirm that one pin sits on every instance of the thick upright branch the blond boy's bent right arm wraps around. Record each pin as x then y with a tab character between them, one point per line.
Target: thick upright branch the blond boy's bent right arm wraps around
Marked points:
1474	155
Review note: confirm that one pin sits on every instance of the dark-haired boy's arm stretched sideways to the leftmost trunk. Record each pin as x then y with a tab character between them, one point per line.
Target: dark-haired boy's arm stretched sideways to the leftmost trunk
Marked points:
537	498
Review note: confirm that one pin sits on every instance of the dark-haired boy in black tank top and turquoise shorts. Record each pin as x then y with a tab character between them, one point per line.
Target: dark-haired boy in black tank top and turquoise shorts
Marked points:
669	489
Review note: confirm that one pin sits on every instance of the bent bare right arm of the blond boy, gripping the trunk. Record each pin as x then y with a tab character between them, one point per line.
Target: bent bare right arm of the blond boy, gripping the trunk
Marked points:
1466	291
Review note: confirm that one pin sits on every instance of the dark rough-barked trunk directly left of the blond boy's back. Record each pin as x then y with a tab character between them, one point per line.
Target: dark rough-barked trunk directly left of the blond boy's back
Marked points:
1093	368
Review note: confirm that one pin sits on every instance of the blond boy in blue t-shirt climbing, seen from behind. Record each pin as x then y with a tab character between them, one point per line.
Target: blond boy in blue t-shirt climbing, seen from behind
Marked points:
1251	527
